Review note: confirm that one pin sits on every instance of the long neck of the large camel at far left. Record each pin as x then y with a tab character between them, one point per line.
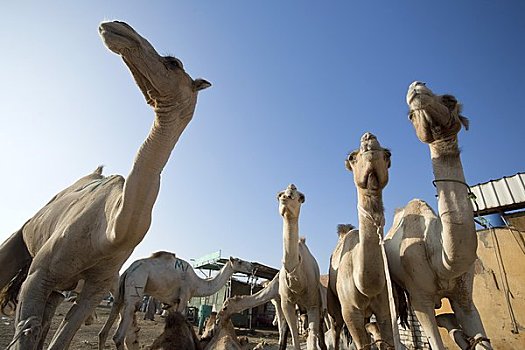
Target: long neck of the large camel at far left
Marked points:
142	185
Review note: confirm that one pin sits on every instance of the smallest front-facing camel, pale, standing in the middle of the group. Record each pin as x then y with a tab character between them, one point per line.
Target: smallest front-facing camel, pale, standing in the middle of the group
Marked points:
299	275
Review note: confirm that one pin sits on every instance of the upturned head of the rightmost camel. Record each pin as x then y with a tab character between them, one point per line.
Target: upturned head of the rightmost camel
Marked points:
435	117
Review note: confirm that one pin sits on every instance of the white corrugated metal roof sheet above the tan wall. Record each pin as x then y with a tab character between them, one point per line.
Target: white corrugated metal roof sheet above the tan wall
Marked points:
494	196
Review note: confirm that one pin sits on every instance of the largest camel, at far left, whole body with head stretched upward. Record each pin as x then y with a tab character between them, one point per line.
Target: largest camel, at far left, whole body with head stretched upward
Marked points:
88	230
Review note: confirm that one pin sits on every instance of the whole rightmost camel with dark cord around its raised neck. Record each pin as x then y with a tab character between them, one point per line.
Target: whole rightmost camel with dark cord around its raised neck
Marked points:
430	256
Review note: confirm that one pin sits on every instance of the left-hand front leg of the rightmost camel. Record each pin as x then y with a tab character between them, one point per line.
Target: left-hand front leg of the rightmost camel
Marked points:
424	310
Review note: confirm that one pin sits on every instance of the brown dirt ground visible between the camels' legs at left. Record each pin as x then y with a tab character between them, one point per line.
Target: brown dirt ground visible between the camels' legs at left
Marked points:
87	336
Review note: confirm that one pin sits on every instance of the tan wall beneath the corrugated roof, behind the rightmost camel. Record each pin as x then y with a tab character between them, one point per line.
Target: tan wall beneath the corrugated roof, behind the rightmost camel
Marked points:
490	286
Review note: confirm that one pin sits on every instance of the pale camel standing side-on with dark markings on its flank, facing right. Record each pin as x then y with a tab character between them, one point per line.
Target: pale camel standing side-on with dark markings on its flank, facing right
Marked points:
167	278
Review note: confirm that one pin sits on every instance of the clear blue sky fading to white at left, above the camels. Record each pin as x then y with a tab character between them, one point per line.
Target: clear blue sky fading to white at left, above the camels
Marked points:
295	85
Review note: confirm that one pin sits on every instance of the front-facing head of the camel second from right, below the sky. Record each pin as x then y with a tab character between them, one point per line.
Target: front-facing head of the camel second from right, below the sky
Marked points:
369	164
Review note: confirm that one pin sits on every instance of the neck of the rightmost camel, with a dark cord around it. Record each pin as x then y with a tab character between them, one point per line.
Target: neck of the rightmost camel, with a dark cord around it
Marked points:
455	209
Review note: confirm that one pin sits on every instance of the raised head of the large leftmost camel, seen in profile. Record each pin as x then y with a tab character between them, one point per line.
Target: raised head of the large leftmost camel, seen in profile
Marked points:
161	79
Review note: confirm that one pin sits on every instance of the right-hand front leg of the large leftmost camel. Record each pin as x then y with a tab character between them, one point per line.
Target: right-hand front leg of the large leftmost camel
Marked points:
88	299
